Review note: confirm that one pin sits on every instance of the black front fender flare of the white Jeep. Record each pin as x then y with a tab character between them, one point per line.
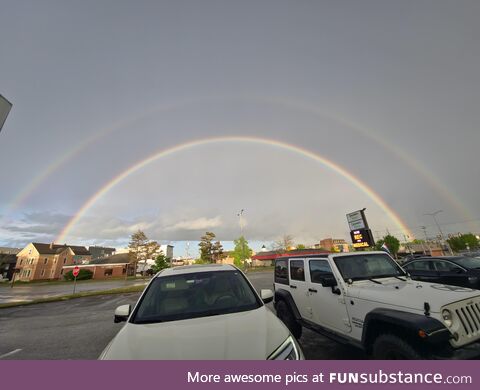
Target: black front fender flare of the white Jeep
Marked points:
434	332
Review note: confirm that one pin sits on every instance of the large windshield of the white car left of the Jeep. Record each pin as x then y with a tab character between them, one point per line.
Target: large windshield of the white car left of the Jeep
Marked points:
193	295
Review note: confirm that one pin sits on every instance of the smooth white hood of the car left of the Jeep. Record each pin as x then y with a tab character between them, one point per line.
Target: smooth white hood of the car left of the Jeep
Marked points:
248	335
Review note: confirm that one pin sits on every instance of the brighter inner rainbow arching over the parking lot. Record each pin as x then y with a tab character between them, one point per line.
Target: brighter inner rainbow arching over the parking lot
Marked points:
256	140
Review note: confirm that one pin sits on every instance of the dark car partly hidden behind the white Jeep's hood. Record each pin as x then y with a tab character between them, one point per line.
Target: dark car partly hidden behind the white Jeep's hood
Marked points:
460	271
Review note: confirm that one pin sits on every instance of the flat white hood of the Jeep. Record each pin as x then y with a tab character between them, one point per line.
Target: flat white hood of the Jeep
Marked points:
409	294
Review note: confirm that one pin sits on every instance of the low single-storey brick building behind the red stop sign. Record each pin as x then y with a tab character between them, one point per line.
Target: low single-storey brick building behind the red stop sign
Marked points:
114	266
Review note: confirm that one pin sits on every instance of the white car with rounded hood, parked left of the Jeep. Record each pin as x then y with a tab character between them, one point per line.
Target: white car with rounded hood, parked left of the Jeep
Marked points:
201	312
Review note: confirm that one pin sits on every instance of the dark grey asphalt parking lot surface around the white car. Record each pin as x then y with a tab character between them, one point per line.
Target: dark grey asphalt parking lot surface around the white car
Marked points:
81	328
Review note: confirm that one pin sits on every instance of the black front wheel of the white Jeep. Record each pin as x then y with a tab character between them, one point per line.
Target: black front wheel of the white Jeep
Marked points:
391	347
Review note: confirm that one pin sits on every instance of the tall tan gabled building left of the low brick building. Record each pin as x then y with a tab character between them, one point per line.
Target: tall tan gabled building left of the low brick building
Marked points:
39	261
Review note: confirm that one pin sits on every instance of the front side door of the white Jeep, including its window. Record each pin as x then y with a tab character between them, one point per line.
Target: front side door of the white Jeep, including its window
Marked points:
328	303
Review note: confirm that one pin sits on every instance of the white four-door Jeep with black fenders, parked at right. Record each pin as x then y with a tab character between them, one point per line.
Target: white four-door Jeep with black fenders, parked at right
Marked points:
366	299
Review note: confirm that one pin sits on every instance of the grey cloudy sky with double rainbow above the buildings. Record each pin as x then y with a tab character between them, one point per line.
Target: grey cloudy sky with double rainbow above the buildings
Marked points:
298	112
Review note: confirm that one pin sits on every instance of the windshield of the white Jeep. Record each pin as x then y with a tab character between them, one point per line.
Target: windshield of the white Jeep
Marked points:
368	266
